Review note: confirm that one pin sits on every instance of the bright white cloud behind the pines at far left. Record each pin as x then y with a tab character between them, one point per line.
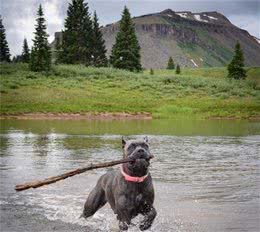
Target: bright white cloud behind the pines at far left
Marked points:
20	21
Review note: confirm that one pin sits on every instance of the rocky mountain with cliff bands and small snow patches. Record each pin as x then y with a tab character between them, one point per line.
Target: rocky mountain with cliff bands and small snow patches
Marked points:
192	39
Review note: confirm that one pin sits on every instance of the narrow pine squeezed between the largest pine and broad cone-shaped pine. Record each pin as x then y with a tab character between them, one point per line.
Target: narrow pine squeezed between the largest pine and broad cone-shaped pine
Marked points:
99	58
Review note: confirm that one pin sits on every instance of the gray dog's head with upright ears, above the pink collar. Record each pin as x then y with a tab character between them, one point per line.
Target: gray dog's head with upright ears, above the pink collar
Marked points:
138	150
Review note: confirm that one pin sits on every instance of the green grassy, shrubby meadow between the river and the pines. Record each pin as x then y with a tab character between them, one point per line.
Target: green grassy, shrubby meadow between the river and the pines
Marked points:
196	92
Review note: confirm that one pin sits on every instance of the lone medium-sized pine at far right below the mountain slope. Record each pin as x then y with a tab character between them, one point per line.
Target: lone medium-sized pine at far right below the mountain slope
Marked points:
236	66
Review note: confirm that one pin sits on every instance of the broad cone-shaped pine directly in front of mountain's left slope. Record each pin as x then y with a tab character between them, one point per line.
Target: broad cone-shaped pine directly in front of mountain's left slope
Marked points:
126	50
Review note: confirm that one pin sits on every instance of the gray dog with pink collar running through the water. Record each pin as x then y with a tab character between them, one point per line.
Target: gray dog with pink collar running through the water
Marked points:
129	191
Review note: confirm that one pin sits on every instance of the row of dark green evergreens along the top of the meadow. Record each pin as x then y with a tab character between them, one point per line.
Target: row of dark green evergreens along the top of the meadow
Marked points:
82	43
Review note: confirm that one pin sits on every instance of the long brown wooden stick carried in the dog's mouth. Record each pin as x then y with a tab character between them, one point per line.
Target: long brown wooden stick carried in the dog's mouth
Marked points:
50	180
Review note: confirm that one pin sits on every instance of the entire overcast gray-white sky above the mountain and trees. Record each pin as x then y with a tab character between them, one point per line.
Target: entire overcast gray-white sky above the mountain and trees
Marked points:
19	15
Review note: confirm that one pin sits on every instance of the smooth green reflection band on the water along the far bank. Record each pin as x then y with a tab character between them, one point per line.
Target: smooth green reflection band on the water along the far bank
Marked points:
179	126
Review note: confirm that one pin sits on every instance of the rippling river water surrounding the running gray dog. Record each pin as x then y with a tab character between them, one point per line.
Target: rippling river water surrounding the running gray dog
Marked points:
206	173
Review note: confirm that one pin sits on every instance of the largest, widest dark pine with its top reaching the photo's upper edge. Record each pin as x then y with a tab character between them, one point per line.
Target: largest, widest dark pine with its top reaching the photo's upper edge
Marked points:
77	38
